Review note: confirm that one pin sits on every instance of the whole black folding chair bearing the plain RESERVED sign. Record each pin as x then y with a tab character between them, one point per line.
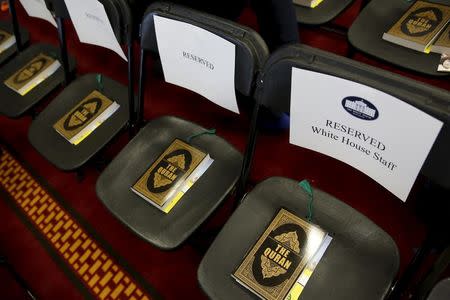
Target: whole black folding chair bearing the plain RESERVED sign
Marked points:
168	231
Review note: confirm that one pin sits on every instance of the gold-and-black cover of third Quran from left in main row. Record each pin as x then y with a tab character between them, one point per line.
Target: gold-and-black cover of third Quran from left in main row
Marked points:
82	115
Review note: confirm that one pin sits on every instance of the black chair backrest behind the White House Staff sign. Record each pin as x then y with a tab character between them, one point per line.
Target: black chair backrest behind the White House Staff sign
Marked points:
275	93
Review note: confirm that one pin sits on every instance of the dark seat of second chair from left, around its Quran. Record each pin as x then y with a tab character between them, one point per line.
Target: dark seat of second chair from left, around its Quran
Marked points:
14	105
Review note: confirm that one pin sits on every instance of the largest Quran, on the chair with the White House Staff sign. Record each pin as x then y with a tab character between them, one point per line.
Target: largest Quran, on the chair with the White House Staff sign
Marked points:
273	267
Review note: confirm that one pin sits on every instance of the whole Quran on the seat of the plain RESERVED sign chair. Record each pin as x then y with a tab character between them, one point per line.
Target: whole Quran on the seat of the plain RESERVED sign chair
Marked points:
171	175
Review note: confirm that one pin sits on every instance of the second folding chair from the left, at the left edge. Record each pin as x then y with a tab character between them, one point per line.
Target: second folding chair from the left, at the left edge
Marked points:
16	104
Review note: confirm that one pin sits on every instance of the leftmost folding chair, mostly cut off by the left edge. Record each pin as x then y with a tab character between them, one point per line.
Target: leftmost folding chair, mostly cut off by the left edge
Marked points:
20	34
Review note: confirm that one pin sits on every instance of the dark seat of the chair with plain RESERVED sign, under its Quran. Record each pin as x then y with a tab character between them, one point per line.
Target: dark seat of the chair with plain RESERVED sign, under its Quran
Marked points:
167	231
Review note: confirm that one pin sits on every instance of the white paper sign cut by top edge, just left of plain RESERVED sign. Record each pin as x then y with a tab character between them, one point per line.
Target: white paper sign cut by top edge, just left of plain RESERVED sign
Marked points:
92	24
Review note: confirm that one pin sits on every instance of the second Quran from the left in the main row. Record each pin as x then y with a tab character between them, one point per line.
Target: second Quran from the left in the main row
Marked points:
32	74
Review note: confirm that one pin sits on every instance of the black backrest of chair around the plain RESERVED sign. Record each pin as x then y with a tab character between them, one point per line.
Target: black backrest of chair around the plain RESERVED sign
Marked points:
251	50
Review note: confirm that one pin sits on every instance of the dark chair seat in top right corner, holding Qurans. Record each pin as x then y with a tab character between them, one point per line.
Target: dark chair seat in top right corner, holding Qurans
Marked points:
378	17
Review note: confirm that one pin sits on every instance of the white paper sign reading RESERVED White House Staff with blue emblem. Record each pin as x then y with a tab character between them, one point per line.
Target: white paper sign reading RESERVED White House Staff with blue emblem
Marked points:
374	132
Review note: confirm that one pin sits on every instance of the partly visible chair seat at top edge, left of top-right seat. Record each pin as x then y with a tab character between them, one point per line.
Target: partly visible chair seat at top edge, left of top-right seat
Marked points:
323	13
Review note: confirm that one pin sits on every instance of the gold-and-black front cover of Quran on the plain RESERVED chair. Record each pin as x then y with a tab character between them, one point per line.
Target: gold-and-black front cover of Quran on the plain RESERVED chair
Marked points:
161	181
